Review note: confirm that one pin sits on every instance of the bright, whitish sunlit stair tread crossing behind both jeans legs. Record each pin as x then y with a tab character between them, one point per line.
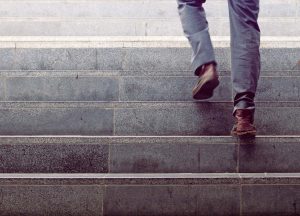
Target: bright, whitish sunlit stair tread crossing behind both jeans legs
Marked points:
132	41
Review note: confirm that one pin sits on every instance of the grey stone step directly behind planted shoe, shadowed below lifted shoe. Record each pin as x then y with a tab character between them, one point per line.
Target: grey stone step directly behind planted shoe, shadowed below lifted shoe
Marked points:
141	118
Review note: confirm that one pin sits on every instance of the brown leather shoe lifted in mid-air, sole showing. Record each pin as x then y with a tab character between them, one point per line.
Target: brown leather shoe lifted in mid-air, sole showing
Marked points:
208	81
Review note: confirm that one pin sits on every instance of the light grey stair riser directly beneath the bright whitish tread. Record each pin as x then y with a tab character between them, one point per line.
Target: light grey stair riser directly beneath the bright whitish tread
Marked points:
152	60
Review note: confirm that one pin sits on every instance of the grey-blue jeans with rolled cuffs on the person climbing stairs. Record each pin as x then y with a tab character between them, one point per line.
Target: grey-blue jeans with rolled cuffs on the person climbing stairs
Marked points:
245	42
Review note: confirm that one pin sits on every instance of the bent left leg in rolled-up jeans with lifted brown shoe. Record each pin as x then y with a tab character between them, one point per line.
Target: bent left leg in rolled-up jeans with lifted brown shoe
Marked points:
195	28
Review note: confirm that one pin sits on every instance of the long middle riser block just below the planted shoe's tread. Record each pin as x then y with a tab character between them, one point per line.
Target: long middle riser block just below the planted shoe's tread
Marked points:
172	158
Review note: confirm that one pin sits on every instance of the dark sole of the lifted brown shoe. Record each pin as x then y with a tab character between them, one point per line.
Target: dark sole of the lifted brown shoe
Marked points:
205	90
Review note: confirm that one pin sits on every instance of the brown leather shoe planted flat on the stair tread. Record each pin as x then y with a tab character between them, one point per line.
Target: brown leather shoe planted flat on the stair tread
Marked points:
244	123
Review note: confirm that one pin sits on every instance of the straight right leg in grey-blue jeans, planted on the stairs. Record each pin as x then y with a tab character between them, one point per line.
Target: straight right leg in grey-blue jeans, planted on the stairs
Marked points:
245	56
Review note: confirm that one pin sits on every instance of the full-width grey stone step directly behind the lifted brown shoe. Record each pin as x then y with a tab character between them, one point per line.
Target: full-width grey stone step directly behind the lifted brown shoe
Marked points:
133	86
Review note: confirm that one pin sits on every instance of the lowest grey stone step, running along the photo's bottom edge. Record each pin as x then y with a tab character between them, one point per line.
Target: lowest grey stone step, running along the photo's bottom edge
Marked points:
152	194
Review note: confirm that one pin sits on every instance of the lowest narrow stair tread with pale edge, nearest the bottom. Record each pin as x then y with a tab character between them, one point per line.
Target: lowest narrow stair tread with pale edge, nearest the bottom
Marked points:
152	179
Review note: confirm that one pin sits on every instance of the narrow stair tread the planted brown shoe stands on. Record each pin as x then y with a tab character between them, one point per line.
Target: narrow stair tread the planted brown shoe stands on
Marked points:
56	139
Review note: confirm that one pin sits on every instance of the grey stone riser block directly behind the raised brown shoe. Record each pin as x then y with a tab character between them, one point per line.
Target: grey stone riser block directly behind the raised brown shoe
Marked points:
167	89
